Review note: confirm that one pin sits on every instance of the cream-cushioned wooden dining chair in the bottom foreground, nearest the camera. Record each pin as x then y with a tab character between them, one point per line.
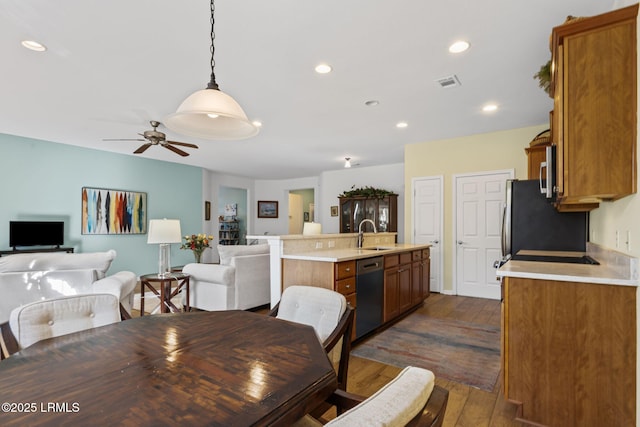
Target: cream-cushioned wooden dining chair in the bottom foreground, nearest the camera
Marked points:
410	399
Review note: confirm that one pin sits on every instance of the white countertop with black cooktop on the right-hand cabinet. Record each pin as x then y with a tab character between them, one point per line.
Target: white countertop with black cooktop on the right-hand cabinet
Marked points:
605	273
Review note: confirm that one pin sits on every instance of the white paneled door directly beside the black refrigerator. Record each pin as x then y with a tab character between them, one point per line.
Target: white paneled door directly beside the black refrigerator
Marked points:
479	200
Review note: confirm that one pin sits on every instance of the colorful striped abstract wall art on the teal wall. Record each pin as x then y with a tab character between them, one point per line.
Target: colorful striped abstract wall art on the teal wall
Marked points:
113	211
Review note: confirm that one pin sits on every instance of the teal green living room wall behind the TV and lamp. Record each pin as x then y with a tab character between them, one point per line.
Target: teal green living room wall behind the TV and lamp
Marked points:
43	181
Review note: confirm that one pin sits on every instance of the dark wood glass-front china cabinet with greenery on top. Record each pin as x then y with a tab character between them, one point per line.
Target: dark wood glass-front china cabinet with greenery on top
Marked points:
382	211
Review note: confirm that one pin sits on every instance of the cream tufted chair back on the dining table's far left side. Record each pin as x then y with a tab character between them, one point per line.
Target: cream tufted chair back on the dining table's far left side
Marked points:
50	318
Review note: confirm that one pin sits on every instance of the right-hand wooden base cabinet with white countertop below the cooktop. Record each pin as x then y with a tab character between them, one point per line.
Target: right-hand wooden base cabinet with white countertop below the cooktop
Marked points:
569	340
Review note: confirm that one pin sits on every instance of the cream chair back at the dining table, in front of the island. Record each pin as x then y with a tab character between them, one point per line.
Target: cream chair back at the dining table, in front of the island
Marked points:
317	307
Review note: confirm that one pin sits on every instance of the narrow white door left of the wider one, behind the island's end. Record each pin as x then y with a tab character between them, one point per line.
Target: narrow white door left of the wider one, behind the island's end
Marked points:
427	223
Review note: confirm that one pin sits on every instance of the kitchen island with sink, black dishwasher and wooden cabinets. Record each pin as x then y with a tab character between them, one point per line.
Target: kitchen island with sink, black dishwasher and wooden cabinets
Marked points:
382	280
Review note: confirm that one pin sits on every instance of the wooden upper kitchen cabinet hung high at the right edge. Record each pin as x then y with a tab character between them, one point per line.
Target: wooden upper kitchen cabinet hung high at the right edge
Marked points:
593	124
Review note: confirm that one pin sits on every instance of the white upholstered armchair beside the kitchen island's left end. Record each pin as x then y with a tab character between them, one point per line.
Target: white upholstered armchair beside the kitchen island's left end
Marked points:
241	281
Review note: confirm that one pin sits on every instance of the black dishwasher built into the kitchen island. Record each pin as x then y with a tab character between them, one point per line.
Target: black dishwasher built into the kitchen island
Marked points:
369	294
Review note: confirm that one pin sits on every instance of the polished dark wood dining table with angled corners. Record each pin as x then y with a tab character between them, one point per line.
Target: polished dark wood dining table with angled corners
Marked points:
224	368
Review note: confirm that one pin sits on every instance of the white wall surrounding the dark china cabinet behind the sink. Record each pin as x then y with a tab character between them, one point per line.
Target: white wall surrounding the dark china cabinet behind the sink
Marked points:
333	183
